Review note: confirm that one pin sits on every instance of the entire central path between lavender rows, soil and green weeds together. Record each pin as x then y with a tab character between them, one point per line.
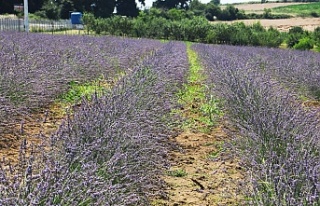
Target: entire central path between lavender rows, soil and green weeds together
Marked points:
201	173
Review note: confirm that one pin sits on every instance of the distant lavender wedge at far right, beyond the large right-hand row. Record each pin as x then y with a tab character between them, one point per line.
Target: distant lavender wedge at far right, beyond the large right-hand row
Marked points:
298	70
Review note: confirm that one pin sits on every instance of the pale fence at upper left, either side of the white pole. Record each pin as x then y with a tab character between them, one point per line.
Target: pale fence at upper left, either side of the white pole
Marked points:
38	25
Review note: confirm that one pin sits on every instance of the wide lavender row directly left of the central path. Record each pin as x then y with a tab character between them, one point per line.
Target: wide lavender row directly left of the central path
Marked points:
112	150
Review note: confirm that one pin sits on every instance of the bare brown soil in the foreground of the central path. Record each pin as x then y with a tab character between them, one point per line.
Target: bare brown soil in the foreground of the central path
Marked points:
212	177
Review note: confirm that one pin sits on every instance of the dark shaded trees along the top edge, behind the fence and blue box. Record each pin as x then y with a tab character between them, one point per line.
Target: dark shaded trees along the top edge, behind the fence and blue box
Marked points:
100	8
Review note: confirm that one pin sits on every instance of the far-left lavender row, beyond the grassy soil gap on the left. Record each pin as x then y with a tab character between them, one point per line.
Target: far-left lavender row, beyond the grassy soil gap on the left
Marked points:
36	68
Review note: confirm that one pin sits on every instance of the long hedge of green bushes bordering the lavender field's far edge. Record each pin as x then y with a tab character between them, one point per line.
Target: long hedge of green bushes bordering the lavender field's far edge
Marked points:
177	25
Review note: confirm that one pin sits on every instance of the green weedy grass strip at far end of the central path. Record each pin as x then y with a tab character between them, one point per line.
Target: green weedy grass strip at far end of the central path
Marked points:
200	110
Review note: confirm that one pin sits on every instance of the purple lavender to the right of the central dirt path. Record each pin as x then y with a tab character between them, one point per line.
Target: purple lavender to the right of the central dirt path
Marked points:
279	139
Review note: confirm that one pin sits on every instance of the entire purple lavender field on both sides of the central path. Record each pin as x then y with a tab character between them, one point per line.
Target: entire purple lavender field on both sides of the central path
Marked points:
113	148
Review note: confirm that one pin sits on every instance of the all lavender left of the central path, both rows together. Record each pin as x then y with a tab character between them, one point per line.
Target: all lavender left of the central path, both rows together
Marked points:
109	152
